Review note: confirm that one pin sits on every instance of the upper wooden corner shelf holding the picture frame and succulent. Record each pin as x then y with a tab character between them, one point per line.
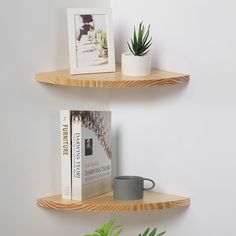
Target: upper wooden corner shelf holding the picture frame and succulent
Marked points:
112	80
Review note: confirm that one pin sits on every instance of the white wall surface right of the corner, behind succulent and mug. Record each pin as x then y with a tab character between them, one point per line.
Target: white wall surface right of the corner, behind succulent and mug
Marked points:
183	137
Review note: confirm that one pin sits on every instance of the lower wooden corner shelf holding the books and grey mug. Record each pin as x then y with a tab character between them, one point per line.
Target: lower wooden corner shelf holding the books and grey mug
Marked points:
152	201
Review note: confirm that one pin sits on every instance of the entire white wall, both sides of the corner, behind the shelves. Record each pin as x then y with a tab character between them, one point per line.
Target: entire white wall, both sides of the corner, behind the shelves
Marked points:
183	137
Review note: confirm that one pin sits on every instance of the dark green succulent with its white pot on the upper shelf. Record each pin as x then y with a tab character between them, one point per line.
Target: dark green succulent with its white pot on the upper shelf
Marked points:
137	62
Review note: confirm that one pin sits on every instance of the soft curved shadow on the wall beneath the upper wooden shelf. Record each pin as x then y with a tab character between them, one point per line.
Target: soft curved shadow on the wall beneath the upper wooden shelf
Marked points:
116	95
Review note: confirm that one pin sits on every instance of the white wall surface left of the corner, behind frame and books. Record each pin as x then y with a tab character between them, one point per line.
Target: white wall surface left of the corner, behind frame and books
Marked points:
33	38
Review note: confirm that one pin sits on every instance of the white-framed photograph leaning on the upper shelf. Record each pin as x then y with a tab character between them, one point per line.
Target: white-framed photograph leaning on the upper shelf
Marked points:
91	43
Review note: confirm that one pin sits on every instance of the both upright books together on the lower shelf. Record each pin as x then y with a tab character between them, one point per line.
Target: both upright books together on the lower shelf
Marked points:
85	153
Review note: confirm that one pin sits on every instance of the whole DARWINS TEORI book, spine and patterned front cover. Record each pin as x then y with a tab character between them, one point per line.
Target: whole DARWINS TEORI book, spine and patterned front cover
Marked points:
91	153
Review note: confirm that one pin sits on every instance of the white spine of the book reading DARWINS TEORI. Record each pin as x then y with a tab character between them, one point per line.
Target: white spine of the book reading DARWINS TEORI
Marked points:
76	136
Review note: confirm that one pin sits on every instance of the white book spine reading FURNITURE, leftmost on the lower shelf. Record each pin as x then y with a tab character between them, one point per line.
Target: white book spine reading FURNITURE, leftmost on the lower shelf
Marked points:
65	154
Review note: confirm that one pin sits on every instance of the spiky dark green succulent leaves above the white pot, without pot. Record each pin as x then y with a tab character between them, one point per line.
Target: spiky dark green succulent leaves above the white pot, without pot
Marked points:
141	42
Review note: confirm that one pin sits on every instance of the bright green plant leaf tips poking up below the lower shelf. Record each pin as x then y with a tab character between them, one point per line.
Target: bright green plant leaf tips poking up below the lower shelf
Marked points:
110	229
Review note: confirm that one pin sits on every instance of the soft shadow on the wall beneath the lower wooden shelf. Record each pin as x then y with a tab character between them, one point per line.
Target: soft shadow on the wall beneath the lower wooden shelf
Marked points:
131	221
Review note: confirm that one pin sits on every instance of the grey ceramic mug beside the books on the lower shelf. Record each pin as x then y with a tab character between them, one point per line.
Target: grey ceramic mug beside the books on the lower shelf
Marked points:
130	187
